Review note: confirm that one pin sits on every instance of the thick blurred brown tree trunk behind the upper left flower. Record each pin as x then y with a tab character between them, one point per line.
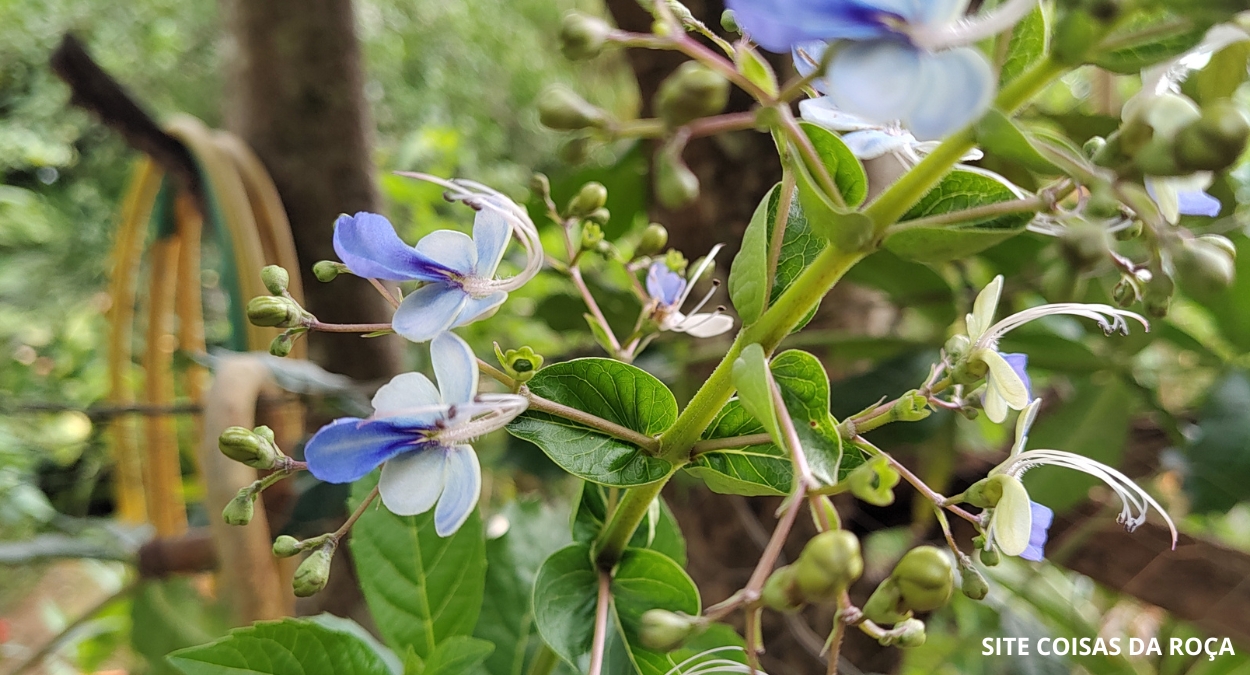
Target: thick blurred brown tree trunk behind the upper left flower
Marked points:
297	97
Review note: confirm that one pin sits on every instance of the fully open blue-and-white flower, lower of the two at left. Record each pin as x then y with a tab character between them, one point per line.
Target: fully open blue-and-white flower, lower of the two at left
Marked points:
421	436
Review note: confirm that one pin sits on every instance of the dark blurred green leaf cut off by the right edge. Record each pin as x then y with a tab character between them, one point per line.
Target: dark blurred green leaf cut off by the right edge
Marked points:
1219	476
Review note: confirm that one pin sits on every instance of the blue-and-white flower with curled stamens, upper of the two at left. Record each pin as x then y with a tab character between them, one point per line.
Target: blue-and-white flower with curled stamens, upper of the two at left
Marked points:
458	272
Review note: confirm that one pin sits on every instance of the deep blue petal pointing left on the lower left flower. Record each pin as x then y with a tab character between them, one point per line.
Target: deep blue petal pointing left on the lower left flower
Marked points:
349	448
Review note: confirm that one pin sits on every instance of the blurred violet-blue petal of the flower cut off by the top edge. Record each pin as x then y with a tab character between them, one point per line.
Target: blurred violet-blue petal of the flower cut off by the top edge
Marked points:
779	26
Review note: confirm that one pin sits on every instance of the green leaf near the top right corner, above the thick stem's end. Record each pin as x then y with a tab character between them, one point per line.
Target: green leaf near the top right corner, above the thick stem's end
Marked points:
1148	38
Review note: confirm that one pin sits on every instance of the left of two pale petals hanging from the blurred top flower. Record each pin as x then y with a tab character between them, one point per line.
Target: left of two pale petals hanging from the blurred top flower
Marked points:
877	81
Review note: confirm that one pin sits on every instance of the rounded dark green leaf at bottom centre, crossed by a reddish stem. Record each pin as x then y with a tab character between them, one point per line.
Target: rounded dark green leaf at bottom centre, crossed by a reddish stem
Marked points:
566	598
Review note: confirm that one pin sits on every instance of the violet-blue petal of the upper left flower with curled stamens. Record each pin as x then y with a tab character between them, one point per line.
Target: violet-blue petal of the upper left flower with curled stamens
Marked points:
368	244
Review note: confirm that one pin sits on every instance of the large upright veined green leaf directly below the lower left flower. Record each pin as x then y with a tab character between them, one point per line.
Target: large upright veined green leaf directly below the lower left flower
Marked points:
421	588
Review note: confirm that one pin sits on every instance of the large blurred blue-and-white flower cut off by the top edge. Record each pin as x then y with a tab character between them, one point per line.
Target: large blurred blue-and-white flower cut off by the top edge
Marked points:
894	61
